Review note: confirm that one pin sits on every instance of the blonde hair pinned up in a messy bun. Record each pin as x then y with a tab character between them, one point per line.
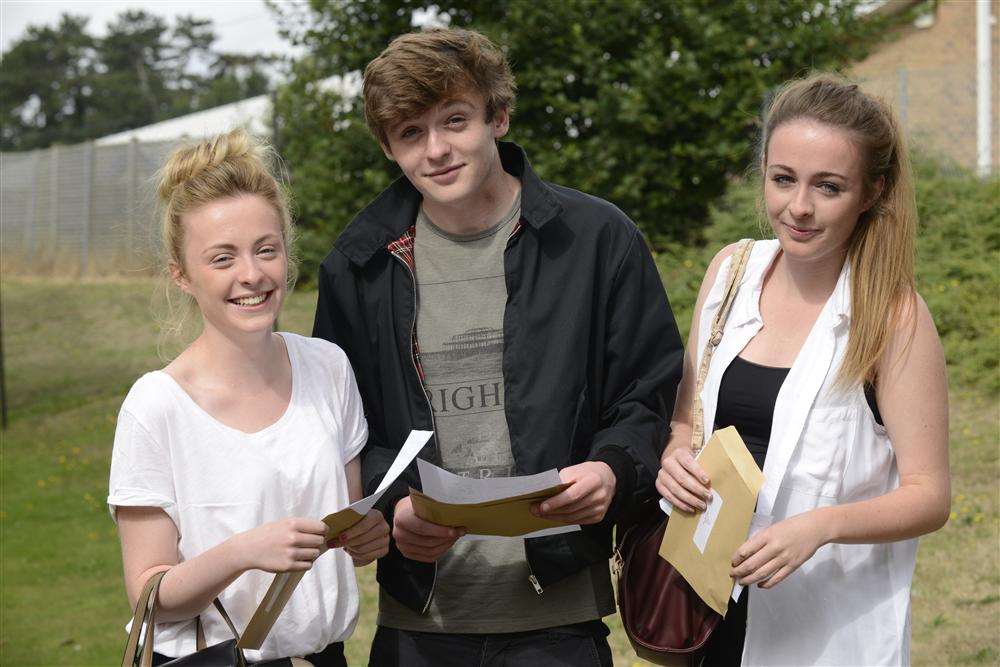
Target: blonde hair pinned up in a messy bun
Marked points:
226	165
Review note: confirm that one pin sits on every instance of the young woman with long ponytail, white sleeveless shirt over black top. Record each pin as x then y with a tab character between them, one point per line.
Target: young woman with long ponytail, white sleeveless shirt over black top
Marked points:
831	369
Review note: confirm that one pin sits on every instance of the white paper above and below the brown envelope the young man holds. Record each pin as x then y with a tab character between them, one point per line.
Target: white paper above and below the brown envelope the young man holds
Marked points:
447	487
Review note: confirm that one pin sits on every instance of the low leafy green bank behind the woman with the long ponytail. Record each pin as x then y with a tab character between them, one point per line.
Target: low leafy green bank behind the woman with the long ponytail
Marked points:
958	263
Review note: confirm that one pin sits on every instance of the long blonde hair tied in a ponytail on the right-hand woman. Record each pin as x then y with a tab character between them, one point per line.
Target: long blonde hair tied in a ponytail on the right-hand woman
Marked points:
882	248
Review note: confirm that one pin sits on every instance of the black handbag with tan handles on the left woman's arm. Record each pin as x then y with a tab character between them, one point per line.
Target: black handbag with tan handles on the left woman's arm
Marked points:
223	654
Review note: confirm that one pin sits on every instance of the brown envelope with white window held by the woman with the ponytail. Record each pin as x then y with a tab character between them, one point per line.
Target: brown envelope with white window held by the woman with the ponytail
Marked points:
701	545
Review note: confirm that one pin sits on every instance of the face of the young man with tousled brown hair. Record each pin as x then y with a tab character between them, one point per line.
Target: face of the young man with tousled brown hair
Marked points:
449	152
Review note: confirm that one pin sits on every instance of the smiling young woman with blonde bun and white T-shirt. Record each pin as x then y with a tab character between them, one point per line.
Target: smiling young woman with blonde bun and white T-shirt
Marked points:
225	460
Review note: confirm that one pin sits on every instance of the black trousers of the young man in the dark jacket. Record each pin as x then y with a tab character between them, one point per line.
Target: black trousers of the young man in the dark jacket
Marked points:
579	645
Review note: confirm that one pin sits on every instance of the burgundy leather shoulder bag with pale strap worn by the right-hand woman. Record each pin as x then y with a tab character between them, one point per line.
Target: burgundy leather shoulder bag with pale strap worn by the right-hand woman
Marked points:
665	619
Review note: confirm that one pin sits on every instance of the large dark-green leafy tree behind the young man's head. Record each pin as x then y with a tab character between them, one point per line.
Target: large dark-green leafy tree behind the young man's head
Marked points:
651	105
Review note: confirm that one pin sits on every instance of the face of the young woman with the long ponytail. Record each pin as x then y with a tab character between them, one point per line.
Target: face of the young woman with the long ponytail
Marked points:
814	188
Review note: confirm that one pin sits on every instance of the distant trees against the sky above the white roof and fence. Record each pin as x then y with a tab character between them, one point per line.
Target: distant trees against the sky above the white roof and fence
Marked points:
63	85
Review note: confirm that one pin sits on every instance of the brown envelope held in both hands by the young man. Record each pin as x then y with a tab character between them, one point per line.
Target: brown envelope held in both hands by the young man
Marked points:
507	517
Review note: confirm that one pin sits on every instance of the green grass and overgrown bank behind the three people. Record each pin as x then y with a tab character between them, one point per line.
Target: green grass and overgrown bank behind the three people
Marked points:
73	349
